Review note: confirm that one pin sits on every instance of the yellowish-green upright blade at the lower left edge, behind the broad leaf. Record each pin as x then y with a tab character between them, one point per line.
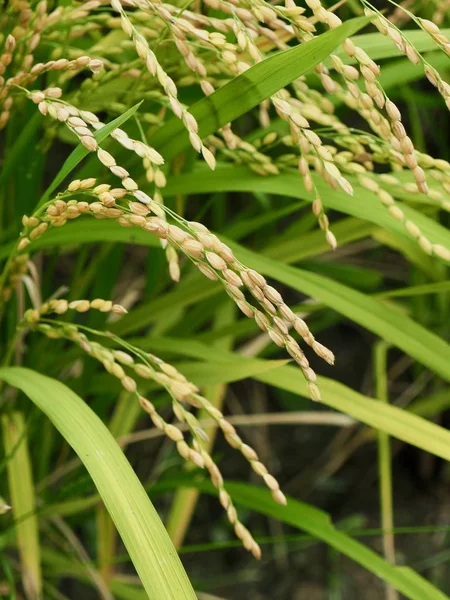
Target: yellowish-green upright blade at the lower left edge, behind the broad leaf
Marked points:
21	489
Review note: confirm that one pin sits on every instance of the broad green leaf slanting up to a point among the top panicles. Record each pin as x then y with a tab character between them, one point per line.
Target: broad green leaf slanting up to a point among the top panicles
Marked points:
252	87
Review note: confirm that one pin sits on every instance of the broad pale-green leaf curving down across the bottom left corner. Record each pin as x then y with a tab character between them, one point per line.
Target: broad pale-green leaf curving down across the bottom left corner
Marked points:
138	523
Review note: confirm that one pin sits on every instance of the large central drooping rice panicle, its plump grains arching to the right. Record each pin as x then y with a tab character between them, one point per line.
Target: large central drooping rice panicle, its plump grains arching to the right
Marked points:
212	257
